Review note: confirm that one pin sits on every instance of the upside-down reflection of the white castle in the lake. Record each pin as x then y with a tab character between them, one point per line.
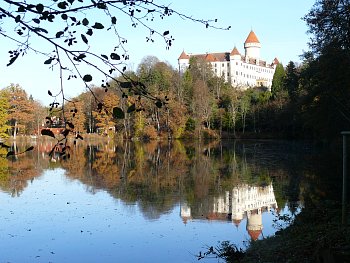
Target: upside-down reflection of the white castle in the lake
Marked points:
242	202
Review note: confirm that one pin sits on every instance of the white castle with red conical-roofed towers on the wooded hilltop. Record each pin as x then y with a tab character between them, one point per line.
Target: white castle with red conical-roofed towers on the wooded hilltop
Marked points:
241	71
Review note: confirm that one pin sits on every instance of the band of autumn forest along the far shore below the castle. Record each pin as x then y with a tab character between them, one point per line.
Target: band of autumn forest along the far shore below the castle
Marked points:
307	100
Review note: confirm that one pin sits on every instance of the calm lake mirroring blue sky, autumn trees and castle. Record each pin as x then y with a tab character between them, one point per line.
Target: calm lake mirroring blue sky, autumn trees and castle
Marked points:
155	202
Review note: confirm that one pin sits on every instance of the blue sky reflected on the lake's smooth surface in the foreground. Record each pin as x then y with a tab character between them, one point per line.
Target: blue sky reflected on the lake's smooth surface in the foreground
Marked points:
59	219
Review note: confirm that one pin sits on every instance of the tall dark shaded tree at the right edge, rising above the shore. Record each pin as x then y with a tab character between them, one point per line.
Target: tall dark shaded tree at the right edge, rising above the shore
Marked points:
326	79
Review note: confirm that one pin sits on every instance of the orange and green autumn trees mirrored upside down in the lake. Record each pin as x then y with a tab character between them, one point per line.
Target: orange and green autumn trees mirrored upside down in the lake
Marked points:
160	175
